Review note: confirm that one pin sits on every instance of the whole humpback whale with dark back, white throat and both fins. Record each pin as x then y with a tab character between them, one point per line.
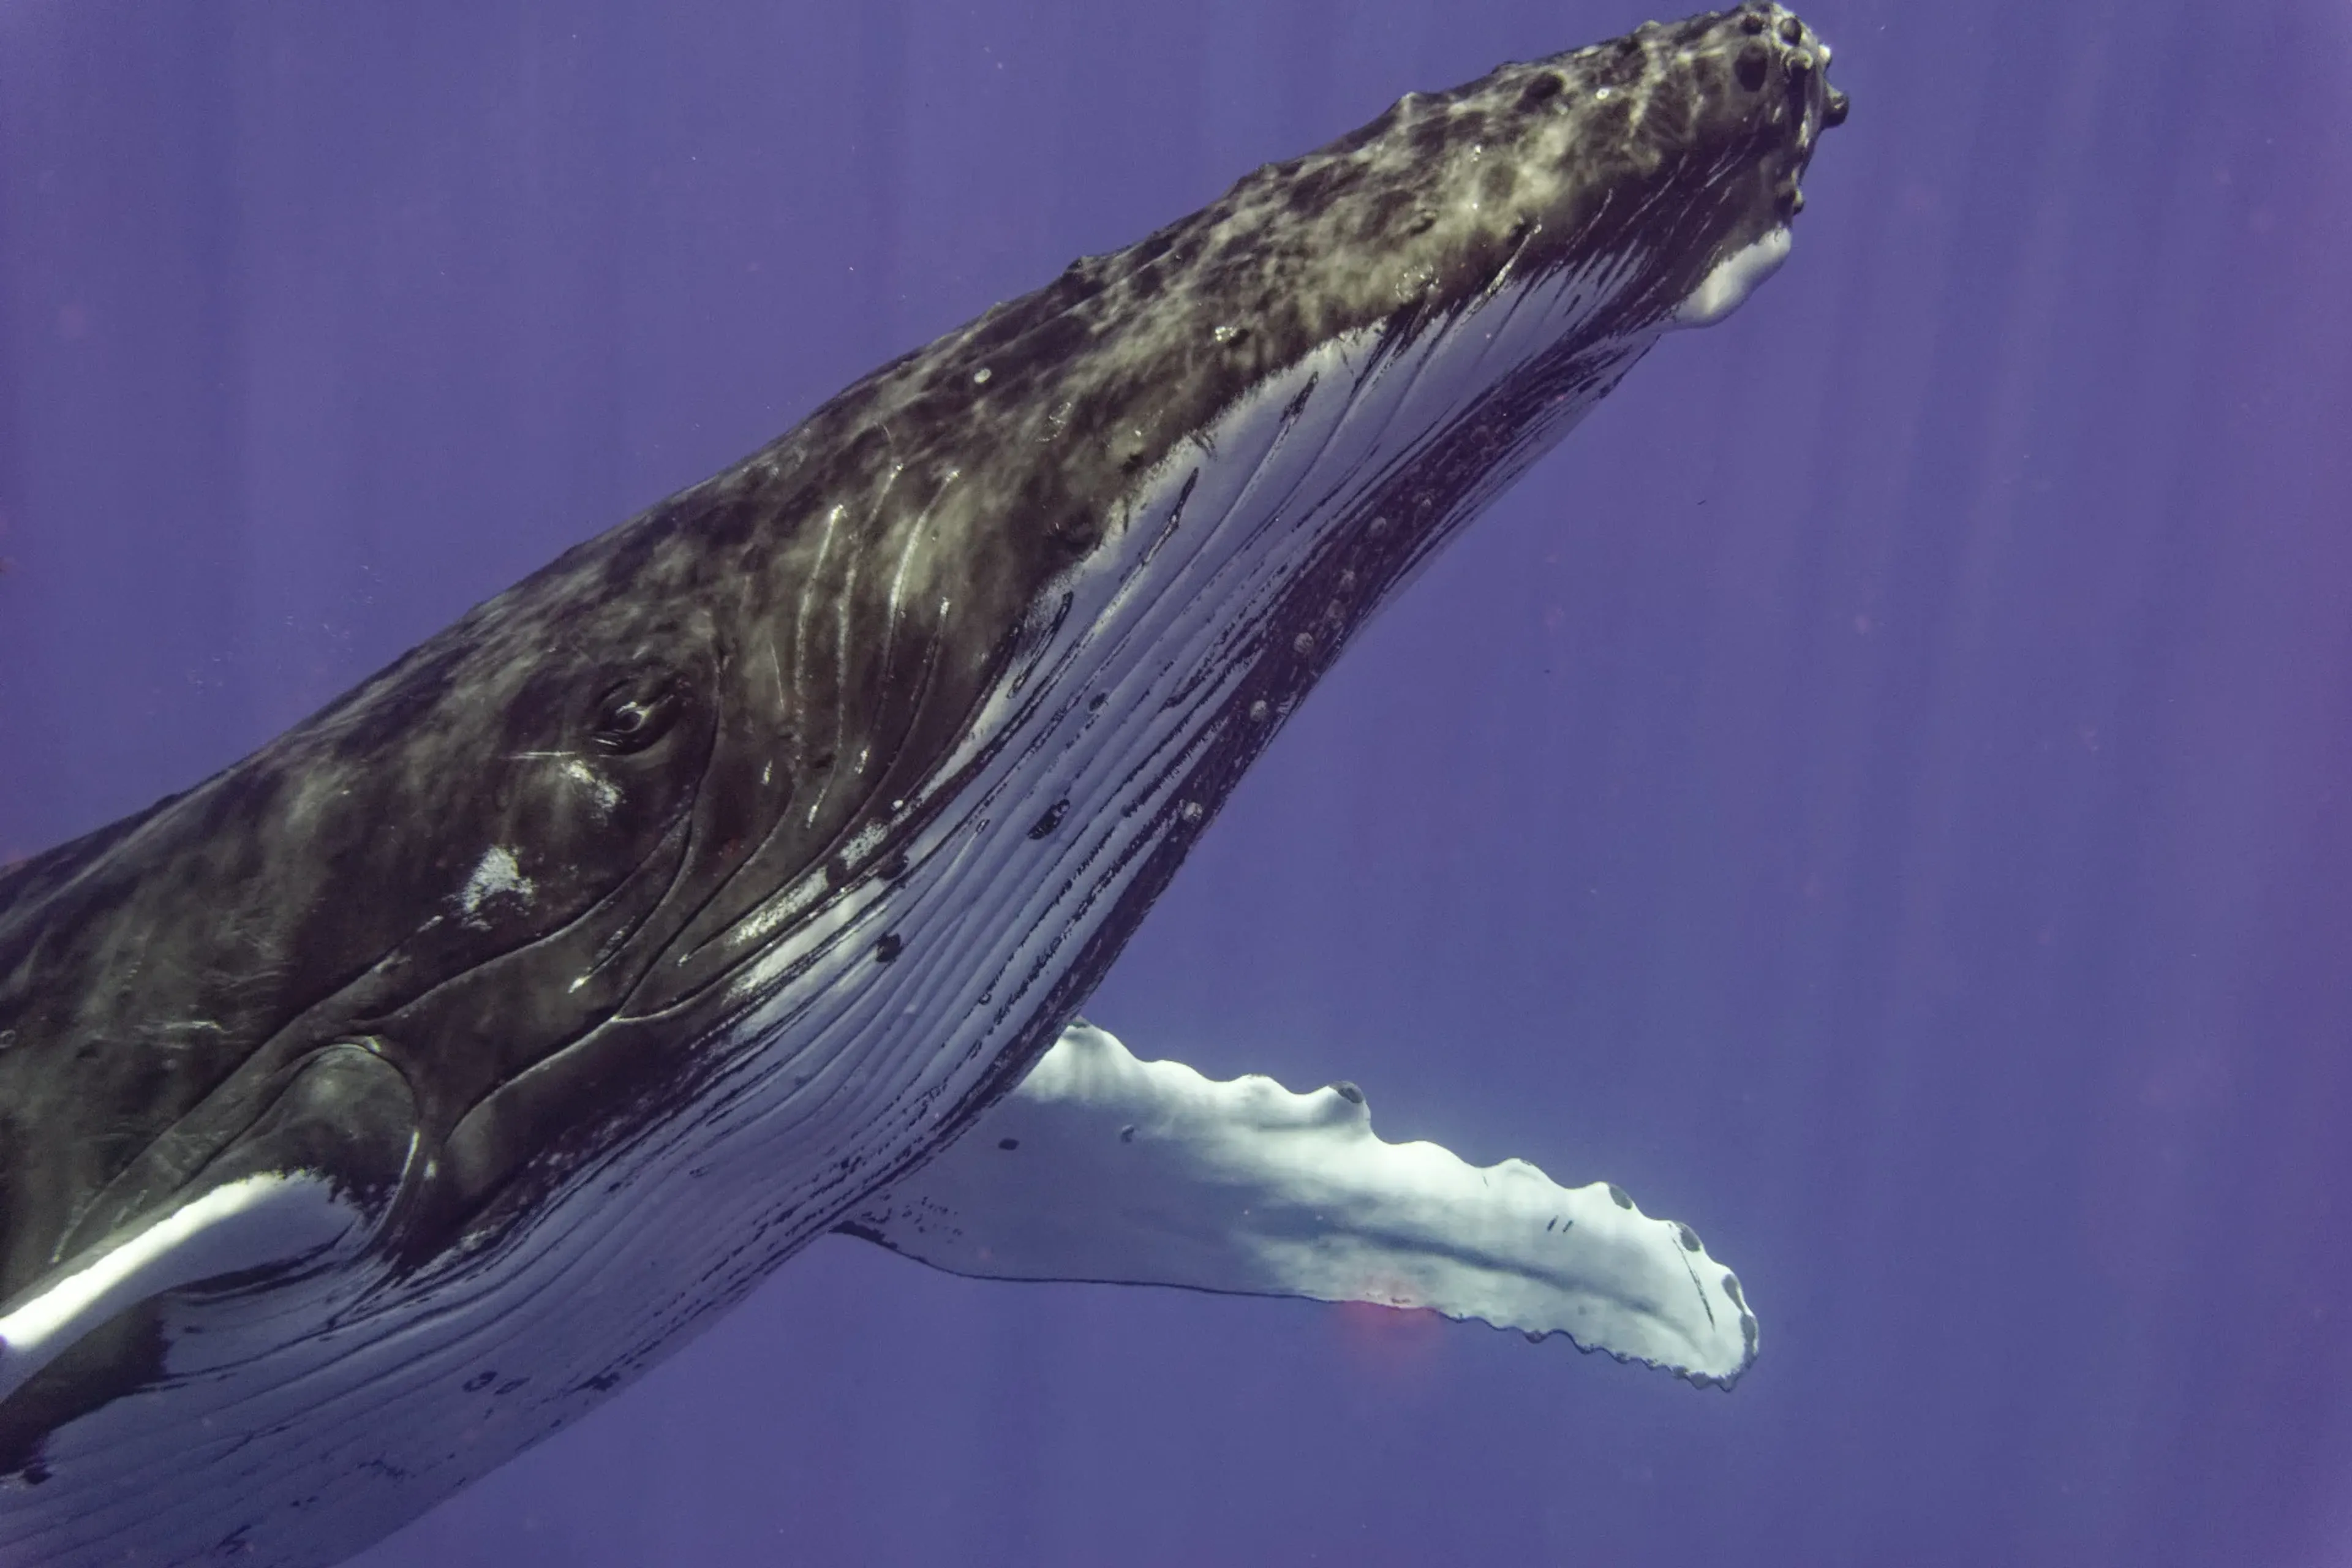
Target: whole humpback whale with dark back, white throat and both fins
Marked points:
387	1101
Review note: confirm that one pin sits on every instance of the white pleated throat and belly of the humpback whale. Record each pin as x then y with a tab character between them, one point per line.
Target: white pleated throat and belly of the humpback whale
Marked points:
855	1036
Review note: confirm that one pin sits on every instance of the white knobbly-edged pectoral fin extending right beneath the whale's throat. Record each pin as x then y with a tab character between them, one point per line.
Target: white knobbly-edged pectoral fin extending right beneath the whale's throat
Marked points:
1111	1170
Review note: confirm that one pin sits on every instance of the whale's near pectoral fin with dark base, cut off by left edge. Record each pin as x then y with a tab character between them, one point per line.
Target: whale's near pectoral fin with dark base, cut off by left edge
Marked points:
309	1181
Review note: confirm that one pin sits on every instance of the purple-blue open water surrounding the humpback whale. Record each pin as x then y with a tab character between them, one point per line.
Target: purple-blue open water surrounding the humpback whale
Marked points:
1883	791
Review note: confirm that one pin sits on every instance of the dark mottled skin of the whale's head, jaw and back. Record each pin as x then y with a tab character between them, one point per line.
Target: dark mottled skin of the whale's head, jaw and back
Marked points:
763	681
